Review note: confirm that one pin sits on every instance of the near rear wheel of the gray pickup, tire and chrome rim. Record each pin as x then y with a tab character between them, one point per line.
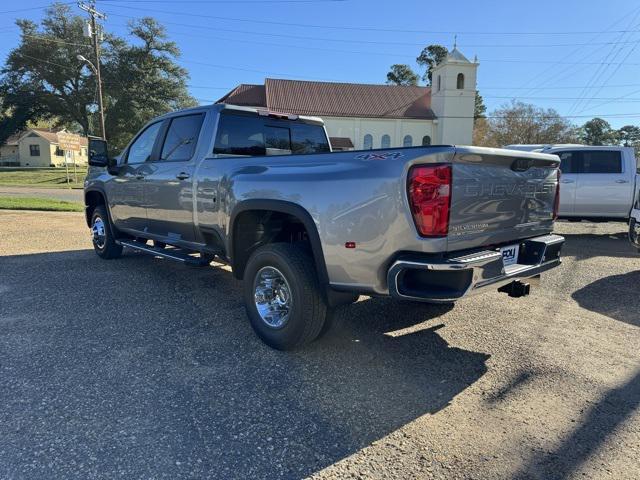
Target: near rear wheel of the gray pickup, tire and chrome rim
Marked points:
282	296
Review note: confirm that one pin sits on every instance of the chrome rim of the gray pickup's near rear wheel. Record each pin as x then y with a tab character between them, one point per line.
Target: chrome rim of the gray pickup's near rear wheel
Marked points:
272	296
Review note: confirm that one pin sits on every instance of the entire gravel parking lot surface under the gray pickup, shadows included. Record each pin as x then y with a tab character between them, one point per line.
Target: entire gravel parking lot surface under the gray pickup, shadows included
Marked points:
141	368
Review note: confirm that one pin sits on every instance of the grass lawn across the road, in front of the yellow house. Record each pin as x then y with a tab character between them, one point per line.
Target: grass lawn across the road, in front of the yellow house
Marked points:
41	177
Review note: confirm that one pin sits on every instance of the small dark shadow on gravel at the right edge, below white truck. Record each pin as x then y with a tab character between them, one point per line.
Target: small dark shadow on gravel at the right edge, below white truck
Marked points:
615	296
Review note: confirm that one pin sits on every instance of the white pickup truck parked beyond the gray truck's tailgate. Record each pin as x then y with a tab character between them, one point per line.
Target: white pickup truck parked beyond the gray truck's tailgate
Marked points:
598	183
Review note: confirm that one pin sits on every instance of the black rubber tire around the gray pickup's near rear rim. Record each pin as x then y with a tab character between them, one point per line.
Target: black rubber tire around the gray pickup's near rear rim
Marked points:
308	310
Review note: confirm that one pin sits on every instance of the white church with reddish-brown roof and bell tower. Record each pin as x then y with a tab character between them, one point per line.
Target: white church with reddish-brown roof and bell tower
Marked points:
364	116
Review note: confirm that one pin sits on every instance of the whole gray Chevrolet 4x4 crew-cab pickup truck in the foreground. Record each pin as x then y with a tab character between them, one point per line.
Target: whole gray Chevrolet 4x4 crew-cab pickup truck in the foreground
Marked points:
307	229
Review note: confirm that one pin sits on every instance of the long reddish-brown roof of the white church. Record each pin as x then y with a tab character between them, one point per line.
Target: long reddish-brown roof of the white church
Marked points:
335	99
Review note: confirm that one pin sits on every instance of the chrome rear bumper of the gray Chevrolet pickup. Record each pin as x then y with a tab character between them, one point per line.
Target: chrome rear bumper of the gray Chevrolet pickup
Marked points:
413	277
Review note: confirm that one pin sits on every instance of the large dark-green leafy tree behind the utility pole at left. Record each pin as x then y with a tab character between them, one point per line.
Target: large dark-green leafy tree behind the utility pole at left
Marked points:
43	79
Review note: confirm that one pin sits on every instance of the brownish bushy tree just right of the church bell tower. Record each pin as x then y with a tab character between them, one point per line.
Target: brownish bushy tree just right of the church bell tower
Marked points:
519	122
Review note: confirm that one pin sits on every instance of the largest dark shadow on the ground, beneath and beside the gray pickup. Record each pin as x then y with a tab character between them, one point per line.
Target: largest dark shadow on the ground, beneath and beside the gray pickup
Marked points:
143	368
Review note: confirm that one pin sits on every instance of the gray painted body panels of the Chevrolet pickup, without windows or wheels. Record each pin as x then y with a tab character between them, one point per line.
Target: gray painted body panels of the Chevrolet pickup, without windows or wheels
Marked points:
353	196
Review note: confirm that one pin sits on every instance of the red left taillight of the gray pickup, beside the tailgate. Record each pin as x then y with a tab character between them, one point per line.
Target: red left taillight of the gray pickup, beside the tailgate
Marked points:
429	188
